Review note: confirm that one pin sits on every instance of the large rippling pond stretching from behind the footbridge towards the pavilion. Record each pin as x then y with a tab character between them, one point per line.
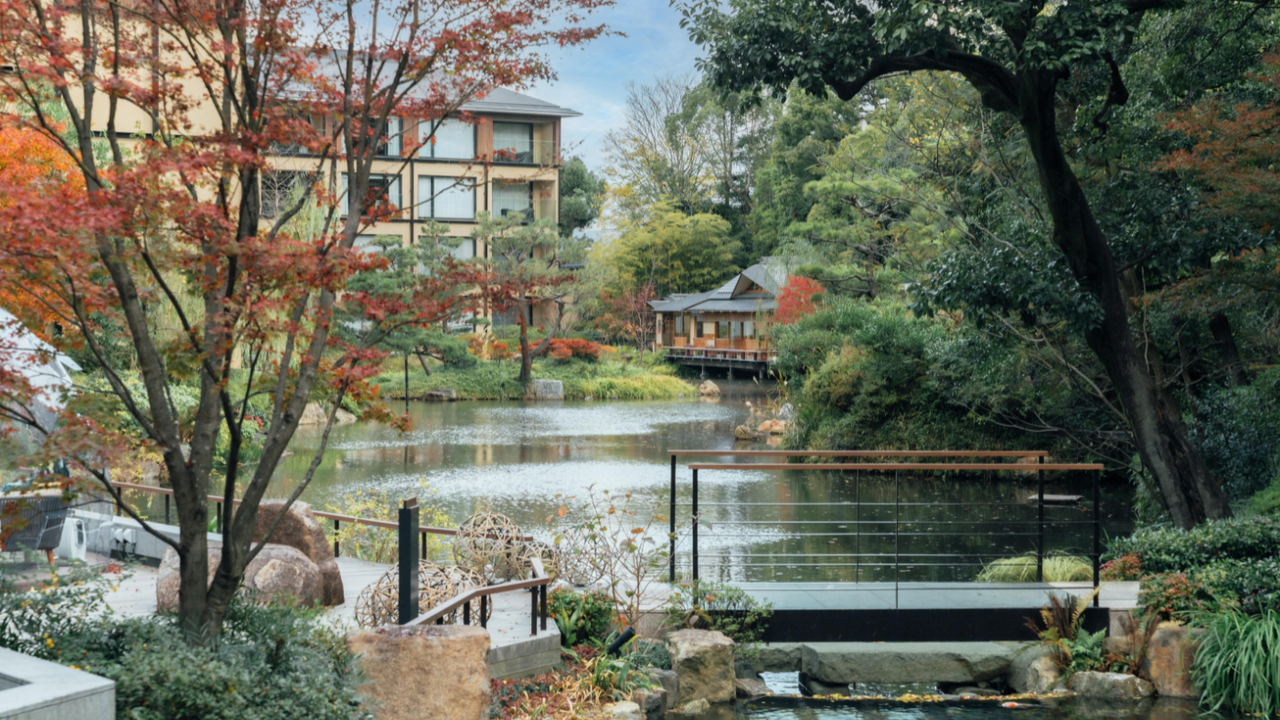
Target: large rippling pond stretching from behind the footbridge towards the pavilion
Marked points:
516	458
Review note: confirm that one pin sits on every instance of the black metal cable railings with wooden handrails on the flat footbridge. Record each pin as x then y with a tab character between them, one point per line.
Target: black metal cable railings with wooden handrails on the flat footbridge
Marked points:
897	527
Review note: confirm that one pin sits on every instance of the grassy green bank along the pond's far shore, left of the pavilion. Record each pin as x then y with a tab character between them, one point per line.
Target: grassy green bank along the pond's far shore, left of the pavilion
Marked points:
601	380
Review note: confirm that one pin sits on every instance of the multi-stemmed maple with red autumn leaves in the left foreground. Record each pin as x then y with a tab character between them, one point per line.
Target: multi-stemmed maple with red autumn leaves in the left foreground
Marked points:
177	213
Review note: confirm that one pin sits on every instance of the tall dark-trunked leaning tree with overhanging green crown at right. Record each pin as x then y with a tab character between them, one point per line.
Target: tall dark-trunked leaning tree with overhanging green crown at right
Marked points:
1018	57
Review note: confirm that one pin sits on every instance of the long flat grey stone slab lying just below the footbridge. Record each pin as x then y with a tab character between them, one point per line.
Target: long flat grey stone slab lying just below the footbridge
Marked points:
906	663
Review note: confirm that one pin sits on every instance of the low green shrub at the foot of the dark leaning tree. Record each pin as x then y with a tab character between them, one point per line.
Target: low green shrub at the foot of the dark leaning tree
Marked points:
1171	550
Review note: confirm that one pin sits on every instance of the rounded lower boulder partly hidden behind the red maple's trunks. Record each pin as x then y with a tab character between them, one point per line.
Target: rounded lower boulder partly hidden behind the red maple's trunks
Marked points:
278	573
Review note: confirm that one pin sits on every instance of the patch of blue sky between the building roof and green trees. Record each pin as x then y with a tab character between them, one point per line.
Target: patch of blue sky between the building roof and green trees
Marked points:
592	80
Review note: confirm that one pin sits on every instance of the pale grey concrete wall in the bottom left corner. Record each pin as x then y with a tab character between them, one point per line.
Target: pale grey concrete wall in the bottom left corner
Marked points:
38	690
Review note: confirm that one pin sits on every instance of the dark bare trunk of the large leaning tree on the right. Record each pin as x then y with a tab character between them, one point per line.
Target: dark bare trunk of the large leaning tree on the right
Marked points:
1191	493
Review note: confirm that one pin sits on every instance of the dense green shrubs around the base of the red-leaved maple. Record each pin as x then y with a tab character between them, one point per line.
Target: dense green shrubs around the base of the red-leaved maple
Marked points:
268	664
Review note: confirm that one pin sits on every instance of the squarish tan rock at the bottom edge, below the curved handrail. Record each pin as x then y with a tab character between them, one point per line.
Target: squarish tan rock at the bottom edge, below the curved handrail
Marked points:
446	663
